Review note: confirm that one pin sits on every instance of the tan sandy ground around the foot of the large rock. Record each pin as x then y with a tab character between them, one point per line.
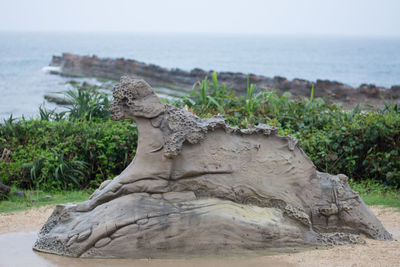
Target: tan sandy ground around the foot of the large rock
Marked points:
373	253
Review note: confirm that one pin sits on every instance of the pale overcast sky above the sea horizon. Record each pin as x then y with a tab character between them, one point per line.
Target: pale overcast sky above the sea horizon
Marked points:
327	17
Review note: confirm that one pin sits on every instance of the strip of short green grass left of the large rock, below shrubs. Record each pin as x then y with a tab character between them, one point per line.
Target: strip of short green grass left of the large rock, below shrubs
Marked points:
16	203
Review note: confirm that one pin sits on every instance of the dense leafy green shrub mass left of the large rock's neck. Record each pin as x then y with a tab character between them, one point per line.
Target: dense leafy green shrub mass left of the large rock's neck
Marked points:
65	154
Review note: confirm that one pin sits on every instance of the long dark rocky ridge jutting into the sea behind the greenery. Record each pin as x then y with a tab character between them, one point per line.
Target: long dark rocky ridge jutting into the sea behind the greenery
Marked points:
74	65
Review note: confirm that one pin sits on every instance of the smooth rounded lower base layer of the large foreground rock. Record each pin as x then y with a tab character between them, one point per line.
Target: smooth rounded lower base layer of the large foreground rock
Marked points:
175	223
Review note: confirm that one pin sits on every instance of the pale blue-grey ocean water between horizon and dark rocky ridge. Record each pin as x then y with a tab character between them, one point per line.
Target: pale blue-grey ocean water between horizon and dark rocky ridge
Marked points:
349	60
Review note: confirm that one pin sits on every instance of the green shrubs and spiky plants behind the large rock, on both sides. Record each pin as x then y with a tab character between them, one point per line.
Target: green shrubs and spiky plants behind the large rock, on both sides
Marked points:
79	148
